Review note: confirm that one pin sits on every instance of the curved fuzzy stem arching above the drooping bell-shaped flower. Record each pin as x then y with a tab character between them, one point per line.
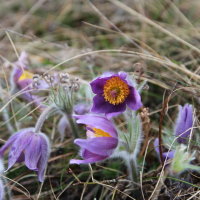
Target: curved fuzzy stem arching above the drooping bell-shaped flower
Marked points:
43	117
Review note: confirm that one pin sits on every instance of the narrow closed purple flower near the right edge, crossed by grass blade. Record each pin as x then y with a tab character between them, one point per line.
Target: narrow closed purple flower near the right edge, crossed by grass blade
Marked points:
184	123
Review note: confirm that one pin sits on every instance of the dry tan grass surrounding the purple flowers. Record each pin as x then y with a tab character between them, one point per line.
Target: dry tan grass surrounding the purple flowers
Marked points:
155	40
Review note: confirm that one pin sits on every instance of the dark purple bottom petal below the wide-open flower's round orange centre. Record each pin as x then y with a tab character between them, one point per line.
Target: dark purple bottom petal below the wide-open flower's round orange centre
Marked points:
101	106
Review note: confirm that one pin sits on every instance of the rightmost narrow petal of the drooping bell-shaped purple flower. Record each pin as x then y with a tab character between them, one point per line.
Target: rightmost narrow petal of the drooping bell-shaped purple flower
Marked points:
45	152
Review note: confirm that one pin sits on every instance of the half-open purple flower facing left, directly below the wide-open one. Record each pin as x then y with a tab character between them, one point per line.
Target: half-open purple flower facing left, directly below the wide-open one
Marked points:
102	139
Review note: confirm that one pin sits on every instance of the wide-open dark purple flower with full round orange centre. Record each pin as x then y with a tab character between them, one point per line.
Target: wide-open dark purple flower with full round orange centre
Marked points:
113	93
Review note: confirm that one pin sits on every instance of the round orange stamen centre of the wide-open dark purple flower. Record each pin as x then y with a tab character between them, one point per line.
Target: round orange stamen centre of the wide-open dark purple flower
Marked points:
115	91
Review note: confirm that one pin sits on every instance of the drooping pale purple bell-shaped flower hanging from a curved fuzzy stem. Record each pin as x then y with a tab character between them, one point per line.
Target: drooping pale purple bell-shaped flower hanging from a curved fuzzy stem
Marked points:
29	147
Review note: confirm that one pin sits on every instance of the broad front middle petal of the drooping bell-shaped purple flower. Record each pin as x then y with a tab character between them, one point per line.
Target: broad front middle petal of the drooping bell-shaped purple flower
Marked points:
33	152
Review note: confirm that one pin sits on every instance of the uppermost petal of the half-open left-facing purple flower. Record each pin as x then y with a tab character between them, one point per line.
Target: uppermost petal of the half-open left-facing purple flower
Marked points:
98	122
